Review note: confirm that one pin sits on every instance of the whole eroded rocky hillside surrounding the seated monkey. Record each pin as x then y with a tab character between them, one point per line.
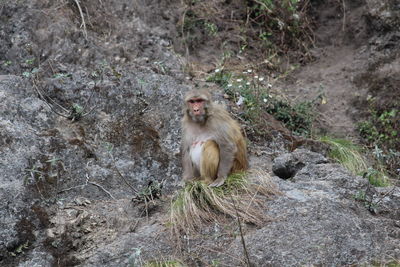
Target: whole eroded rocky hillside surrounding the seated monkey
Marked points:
90	109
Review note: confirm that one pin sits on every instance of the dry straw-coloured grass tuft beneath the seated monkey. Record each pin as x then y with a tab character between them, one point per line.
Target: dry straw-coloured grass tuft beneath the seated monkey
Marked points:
242	194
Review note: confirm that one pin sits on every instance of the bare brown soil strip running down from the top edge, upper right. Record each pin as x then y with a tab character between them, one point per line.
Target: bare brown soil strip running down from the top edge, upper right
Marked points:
329	80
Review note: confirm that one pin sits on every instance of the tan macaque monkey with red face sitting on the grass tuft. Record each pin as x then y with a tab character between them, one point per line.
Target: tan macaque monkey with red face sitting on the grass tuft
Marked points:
212	143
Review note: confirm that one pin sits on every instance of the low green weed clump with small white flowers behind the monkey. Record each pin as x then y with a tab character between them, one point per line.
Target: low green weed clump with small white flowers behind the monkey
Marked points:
254	95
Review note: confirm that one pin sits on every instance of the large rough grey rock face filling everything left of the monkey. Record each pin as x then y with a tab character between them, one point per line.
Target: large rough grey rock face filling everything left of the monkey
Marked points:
133	130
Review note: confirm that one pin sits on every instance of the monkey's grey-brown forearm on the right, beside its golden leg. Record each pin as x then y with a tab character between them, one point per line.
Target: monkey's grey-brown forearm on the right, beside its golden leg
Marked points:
226	157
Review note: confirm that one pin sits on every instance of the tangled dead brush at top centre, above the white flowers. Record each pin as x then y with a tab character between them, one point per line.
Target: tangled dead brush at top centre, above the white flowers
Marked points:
262	31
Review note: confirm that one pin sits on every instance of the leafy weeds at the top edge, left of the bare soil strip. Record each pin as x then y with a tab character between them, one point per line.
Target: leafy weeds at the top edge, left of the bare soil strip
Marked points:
270	27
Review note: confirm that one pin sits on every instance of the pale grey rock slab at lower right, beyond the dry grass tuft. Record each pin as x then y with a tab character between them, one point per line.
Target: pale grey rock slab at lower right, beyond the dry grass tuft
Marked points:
322	219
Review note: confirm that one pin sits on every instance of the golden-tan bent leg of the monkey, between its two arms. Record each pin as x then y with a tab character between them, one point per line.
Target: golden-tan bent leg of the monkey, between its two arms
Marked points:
209	161
